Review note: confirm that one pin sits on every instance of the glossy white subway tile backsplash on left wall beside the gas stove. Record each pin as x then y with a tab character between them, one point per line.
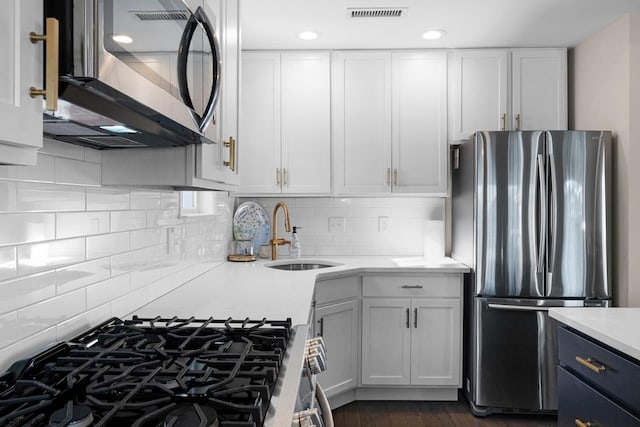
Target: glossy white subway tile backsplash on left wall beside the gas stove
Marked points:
73	253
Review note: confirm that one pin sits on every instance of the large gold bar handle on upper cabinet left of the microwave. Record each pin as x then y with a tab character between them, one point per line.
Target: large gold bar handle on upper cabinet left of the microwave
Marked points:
51	39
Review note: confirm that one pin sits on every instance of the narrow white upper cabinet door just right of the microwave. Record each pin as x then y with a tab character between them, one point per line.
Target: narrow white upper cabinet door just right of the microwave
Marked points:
211	158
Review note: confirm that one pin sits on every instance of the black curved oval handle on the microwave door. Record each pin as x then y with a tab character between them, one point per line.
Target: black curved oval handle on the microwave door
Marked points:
199	17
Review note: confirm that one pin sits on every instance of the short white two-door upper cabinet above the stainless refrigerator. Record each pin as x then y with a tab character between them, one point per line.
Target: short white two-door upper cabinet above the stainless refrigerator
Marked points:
520	89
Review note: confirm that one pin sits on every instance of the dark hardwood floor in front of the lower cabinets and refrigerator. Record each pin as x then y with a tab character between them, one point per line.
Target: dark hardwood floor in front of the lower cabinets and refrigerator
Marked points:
432	414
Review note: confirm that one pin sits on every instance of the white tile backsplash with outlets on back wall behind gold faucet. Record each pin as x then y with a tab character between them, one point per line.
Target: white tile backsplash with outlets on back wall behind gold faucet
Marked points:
412	223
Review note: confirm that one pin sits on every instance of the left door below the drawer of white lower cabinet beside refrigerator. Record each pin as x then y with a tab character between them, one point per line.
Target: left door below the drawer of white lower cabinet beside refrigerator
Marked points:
386	342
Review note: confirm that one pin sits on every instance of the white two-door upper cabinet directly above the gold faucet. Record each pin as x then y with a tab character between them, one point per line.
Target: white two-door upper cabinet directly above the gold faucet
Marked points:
285	123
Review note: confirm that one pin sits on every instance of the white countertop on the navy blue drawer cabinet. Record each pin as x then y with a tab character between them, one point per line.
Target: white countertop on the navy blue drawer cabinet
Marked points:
615	326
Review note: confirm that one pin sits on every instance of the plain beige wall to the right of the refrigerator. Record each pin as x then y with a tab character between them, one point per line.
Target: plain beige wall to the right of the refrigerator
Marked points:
606	95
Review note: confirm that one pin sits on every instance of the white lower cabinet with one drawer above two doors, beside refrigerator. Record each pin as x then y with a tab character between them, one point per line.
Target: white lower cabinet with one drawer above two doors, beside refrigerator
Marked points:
415	339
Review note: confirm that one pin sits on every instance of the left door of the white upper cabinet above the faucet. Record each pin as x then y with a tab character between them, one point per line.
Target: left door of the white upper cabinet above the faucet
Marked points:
260	123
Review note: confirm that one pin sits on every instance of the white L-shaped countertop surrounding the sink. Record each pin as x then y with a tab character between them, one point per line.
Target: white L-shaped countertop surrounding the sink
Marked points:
250	289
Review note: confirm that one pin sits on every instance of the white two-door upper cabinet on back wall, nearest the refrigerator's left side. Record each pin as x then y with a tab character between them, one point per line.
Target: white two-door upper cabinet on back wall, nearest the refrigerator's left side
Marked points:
390	122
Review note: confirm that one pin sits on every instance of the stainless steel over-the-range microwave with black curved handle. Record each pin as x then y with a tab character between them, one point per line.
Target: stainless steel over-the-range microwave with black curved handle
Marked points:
135	73
